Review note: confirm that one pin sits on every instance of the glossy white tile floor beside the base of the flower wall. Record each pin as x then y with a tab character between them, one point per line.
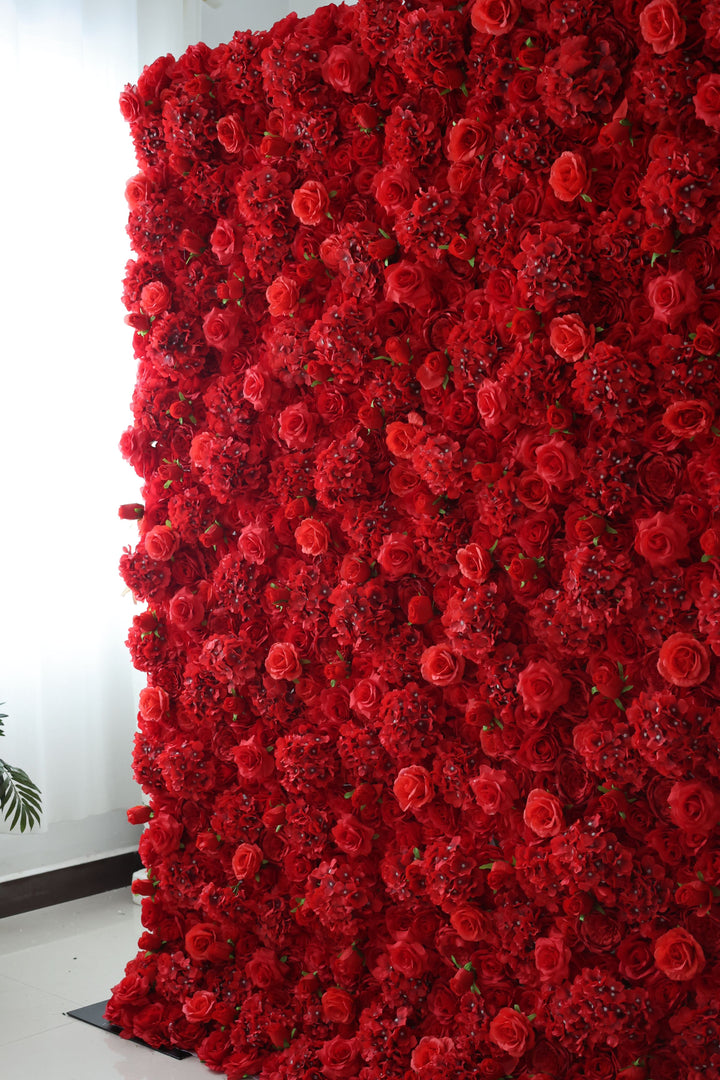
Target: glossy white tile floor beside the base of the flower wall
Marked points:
61	958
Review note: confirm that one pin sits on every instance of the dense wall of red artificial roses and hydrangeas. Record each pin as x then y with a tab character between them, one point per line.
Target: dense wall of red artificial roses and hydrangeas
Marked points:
427	308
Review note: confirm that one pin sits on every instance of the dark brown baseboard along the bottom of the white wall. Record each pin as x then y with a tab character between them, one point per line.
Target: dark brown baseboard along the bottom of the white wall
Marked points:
72	883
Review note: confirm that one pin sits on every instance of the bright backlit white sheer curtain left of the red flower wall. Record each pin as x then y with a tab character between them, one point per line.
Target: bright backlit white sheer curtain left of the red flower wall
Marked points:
67	377
